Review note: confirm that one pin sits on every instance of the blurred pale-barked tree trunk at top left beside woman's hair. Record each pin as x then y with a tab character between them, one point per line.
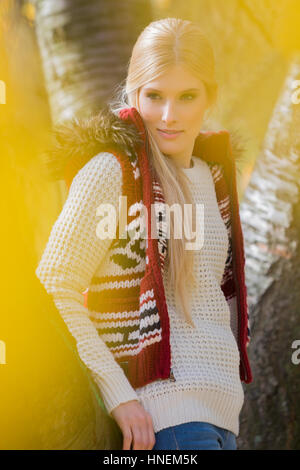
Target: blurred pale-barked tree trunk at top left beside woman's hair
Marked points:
85	47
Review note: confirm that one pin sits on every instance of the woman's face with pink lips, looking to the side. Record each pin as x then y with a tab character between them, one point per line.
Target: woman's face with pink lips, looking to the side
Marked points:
175	101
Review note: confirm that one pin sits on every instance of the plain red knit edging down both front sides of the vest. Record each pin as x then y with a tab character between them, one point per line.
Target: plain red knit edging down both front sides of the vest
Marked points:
216	148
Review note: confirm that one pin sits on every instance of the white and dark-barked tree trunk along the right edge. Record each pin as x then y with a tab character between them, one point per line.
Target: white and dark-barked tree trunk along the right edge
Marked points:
270	215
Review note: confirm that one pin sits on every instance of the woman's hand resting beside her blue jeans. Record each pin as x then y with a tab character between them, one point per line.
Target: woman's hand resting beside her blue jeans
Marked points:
136	425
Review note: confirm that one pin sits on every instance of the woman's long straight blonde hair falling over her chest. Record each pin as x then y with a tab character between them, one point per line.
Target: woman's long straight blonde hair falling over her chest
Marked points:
164	43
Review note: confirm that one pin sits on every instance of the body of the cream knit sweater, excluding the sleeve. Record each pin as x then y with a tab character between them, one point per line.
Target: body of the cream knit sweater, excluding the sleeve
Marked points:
205	360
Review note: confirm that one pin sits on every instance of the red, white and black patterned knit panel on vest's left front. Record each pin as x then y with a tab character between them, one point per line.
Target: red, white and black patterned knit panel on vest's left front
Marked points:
128	332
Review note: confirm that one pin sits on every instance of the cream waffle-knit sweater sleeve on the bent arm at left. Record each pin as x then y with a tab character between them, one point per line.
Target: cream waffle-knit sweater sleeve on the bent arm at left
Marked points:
69	261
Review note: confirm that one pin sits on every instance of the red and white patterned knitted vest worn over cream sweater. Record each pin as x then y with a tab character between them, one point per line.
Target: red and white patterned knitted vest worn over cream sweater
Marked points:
127	291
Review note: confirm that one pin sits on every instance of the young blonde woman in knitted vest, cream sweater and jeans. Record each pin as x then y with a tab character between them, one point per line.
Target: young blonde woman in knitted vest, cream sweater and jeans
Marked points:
163	328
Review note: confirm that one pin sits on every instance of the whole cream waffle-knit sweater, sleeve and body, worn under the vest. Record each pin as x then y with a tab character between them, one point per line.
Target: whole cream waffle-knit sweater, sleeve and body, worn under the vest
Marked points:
205	360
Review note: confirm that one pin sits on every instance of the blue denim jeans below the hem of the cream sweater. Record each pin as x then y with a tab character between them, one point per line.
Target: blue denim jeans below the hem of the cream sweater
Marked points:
195	435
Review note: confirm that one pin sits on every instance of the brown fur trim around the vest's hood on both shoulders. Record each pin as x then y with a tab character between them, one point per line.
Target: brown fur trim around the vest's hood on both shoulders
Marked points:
75	142
